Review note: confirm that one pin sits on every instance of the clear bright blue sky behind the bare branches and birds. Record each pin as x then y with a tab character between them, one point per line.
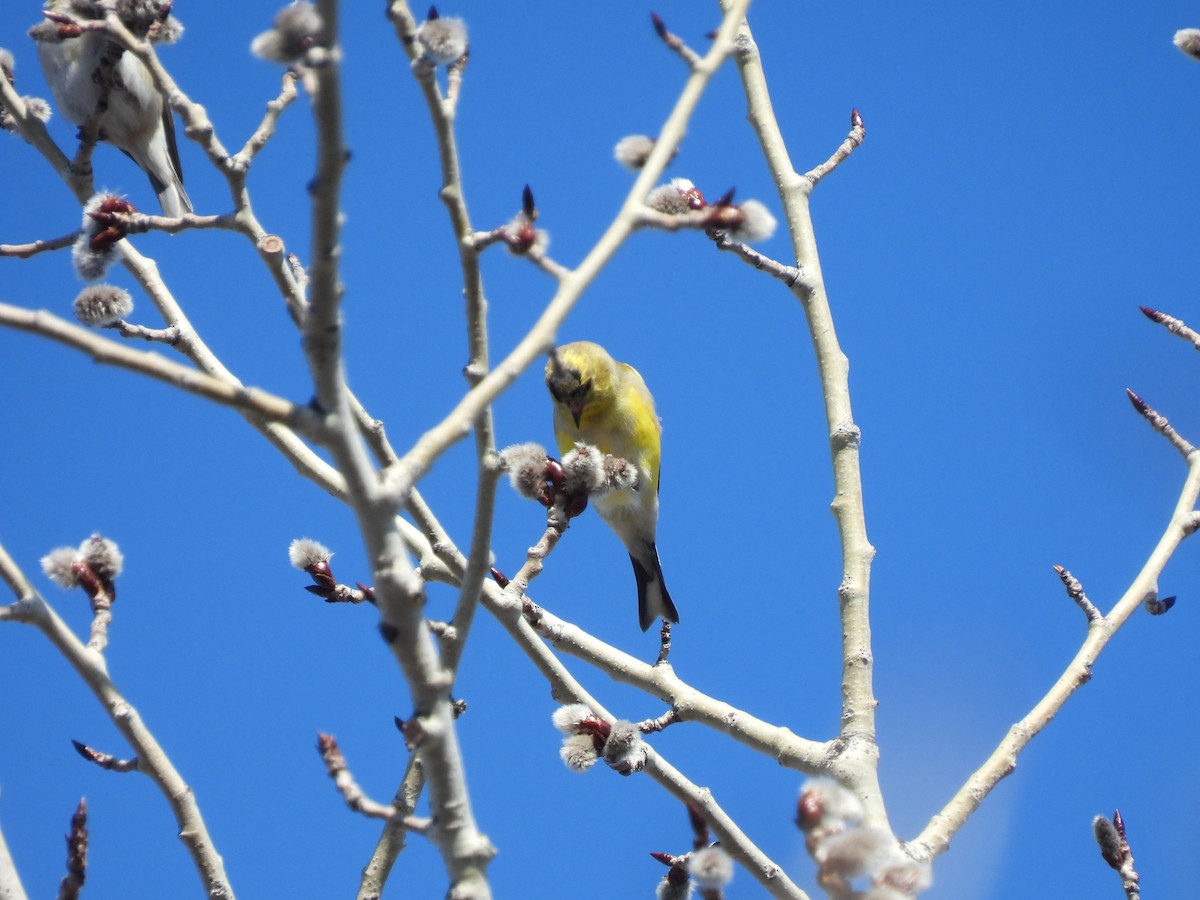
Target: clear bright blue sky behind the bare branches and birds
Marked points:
1028	182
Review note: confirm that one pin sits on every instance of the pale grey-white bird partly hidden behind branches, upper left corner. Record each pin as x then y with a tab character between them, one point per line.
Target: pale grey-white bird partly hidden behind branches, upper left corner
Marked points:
139	122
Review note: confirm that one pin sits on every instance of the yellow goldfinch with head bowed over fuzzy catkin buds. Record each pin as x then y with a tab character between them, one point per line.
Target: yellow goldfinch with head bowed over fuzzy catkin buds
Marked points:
605	404
